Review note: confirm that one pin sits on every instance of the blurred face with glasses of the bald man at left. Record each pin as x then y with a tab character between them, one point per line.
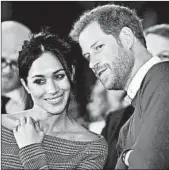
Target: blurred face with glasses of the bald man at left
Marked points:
9	79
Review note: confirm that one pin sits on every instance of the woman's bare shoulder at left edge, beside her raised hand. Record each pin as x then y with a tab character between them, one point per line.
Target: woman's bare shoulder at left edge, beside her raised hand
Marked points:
9	120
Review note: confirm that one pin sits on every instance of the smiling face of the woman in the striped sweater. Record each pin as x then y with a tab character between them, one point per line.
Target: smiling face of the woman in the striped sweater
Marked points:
48	84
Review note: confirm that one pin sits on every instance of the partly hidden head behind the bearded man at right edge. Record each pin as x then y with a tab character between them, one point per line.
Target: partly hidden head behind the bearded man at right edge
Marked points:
157	40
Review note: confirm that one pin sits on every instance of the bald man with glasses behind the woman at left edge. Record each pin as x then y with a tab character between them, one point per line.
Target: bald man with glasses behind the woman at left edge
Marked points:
13	93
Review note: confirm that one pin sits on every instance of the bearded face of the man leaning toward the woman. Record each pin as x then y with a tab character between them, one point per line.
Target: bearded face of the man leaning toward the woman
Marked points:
109	60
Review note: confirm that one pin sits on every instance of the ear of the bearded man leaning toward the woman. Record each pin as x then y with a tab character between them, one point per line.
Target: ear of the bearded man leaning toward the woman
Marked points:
127	37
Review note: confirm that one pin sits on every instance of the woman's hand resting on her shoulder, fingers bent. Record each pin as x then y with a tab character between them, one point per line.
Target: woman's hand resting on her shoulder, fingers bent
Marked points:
27	132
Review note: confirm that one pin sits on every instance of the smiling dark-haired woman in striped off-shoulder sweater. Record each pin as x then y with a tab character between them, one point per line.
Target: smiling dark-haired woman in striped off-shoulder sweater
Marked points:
44	137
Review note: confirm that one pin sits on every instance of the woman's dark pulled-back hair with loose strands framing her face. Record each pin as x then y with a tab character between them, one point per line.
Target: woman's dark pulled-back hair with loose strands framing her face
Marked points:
40	43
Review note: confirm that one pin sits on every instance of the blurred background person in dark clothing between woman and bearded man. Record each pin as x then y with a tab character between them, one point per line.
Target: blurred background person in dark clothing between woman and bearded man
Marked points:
109	111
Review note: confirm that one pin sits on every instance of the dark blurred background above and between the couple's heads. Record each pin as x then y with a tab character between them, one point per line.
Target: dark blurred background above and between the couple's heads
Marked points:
60	16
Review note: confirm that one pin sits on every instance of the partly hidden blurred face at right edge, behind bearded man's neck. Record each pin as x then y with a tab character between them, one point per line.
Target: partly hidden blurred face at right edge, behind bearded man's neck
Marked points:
158	46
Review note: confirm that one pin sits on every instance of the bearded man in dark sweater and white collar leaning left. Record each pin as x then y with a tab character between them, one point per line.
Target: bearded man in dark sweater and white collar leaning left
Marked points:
111	38
